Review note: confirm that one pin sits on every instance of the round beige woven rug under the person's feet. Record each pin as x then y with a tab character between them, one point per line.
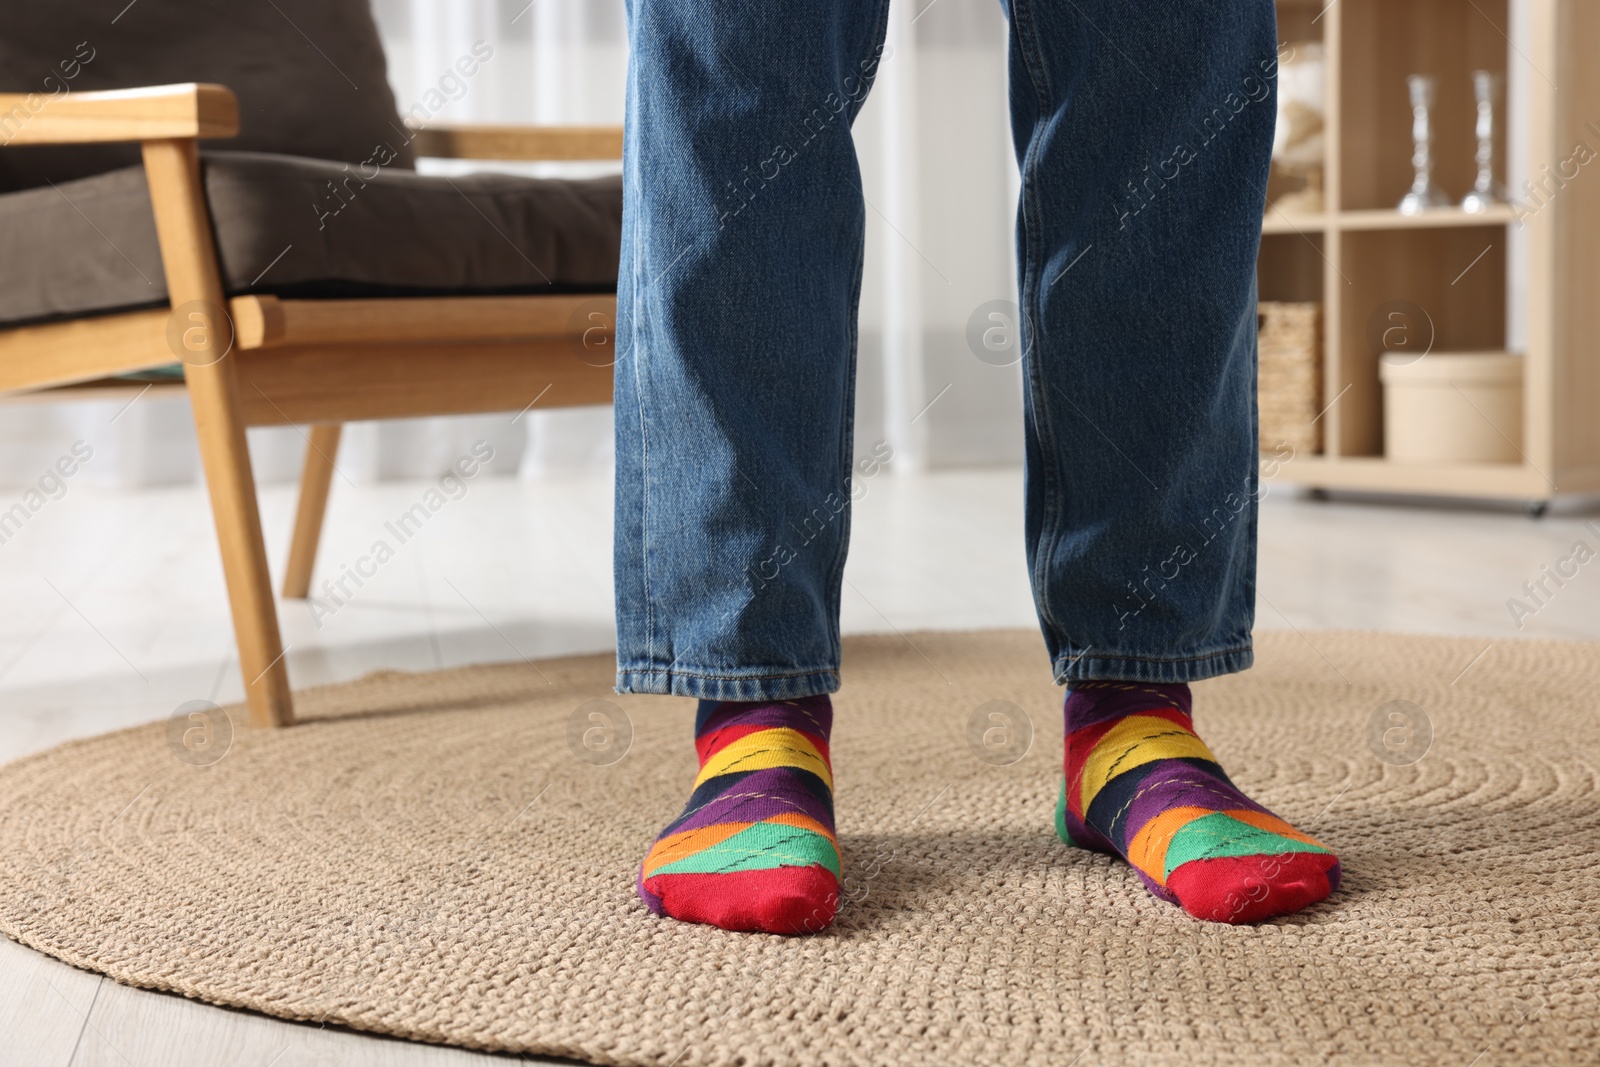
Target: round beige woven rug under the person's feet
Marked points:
450	858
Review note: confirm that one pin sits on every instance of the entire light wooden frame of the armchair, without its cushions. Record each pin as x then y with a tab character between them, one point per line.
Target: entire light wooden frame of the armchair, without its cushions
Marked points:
260	361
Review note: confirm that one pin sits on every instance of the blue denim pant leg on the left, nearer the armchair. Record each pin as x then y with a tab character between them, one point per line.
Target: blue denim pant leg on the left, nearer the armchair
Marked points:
737	343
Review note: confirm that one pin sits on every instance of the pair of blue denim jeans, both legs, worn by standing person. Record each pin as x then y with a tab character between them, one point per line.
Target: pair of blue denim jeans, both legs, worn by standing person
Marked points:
1143	134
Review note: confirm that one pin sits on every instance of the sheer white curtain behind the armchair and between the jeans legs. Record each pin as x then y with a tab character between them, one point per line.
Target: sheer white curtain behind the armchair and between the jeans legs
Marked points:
940	183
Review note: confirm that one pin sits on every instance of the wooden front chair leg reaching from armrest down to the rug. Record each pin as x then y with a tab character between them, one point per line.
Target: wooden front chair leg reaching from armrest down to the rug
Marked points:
188	254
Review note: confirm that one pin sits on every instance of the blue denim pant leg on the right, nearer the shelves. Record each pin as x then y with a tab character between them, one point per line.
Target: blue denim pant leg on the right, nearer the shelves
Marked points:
1143	132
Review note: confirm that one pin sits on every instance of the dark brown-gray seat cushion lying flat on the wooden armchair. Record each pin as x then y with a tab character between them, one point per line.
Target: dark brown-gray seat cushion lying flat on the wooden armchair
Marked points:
308	228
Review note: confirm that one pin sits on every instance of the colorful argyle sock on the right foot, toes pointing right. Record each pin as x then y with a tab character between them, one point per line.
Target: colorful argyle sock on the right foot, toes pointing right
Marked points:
1140	785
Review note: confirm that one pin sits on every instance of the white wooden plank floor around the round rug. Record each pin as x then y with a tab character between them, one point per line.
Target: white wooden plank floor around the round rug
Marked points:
116	615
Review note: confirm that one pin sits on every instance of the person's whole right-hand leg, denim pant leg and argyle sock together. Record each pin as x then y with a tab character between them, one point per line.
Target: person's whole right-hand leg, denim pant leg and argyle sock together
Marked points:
1145	134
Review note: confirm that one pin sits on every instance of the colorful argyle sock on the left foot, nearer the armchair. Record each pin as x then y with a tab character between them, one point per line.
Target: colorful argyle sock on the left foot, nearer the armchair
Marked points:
754	849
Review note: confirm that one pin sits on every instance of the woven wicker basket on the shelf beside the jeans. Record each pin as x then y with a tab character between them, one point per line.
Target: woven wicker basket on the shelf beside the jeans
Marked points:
1290	377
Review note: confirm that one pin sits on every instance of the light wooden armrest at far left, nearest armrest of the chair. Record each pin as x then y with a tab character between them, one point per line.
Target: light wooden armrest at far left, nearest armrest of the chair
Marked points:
148	114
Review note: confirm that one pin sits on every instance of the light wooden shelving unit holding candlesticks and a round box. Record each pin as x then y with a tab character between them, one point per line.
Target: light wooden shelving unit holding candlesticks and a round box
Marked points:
1364	255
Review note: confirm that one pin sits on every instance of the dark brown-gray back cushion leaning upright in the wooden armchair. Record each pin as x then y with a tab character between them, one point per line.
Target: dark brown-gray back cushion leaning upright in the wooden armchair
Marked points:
310	74
